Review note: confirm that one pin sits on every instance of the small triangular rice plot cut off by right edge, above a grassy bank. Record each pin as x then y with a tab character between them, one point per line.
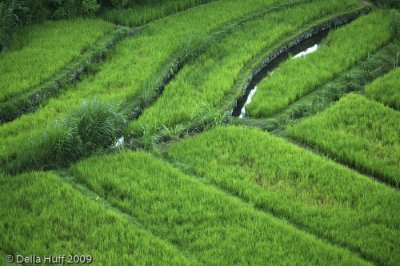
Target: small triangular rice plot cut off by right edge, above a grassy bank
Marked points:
386	89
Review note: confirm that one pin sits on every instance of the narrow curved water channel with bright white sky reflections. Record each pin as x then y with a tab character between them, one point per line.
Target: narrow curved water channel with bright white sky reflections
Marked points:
302	48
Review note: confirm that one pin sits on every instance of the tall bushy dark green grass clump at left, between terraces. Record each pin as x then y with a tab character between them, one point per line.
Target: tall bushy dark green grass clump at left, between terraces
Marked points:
92	128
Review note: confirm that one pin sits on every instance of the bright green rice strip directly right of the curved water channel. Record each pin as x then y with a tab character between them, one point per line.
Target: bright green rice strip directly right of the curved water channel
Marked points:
340	51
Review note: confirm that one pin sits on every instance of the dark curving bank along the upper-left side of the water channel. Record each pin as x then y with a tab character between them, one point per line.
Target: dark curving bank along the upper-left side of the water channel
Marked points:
296	46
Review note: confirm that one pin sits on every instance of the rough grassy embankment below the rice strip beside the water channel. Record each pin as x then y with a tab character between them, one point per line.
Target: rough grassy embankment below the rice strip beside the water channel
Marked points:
354	80
